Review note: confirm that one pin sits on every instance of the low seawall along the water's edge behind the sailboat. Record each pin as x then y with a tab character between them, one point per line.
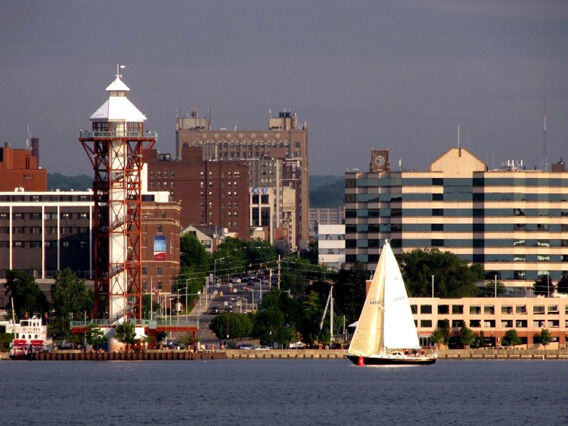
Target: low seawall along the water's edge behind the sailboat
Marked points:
181	355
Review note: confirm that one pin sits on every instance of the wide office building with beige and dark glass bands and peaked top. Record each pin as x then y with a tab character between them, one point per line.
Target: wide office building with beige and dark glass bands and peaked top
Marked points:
513	222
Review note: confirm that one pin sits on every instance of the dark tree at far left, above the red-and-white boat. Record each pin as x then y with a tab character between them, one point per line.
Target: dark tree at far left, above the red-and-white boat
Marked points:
28	298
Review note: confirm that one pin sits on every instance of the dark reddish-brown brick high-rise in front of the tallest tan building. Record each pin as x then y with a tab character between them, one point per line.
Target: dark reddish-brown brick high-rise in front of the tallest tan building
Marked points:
210	192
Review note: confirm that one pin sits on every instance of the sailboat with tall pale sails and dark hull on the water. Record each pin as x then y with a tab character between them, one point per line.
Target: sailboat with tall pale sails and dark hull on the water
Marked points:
385	332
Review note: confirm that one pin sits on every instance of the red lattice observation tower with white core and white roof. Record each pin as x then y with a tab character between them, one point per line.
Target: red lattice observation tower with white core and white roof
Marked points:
115	146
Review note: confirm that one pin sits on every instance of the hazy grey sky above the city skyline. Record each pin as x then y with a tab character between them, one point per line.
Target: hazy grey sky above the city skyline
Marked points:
398	75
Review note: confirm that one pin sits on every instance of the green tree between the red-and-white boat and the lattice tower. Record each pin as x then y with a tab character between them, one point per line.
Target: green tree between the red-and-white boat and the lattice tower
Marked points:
69	299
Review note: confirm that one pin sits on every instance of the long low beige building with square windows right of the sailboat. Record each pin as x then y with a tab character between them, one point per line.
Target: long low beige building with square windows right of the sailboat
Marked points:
494	317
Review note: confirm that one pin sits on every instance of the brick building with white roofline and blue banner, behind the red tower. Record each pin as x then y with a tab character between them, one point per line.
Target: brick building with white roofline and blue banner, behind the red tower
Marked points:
44	232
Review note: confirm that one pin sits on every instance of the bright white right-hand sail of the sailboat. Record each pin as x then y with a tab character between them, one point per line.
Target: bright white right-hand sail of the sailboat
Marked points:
399	329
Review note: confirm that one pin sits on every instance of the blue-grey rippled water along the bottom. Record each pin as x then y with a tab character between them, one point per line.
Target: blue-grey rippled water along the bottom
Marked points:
287	392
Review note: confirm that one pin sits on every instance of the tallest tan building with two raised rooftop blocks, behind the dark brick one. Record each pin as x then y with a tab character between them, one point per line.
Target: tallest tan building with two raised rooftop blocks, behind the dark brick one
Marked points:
276	157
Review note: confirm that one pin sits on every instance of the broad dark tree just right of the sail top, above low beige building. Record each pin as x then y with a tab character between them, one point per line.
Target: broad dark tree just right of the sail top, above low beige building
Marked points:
453	277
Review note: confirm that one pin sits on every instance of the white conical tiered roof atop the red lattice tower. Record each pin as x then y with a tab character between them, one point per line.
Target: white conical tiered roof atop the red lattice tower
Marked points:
118	107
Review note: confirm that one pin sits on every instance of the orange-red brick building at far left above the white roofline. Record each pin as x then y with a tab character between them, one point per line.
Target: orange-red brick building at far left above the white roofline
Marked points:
19	168
